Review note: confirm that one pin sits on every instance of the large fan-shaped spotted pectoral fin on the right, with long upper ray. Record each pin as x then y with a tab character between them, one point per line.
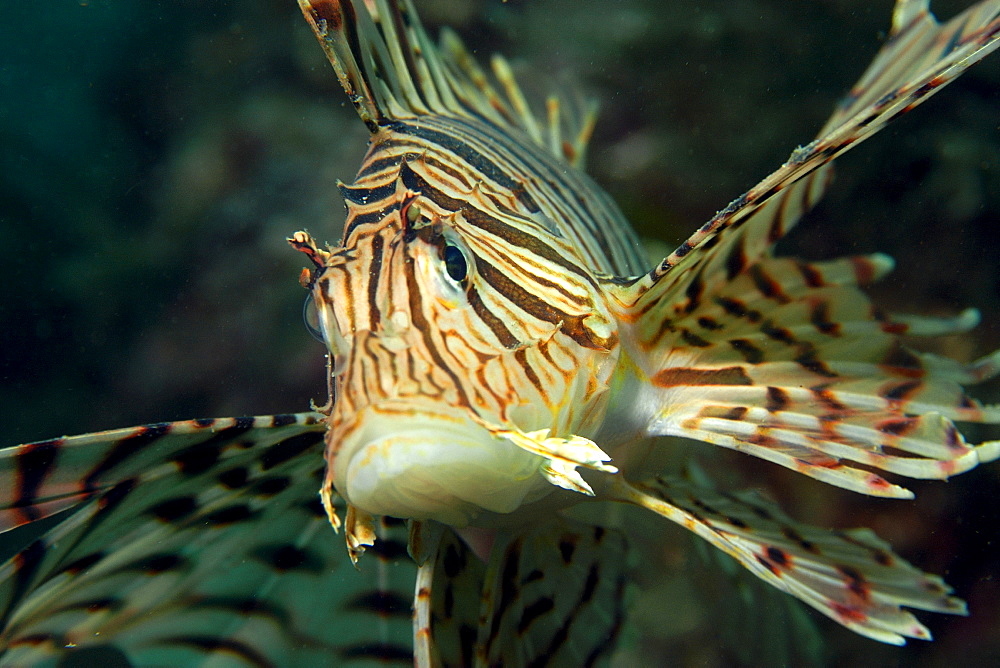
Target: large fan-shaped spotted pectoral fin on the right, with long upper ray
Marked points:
788	360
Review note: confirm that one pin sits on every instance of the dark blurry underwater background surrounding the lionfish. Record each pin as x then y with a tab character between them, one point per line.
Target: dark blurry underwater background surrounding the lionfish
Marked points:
155	155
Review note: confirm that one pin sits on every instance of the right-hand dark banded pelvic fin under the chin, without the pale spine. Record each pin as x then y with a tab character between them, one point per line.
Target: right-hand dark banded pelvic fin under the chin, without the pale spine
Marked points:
552	596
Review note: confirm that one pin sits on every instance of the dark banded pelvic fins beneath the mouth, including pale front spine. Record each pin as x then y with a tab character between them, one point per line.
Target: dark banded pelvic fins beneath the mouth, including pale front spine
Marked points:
550	594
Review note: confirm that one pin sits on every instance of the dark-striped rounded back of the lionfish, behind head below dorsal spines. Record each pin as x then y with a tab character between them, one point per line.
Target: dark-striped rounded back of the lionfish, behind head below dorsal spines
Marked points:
518	177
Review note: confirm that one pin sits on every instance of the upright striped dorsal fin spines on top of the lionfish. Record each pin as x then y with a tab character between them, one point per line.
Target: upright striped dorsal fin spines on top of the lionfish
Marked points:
391	69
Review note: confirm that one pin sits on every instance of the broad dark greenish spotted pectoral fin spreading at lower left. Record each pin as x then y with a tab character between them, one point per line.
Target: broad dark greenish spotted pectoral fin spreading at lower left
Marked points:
197	543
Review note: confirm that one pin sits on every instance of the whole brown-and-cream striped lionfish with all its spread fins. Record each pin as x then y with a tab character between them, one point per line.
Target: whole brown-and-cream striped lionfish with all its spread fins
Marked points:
499	353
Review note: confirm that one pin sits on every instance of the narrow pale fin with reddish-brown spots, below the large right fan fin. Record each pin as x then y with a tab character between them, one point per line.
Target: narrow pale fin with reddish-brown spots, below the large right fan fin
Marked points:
850	576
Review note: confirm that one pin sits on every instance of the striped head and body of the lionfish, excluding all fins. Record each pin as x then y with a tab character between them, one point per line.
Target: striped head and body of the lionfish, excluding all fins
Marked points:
522	340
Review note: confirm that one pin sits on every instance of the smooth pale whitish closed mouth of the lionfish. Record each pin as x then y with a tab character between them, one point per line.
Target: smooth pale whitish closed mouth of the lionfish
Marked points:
431	464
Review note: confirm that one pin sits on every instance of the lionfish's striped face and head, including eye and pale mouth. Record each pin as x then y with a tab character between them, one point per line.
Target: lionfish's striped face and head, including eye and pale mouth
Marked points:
454	353
